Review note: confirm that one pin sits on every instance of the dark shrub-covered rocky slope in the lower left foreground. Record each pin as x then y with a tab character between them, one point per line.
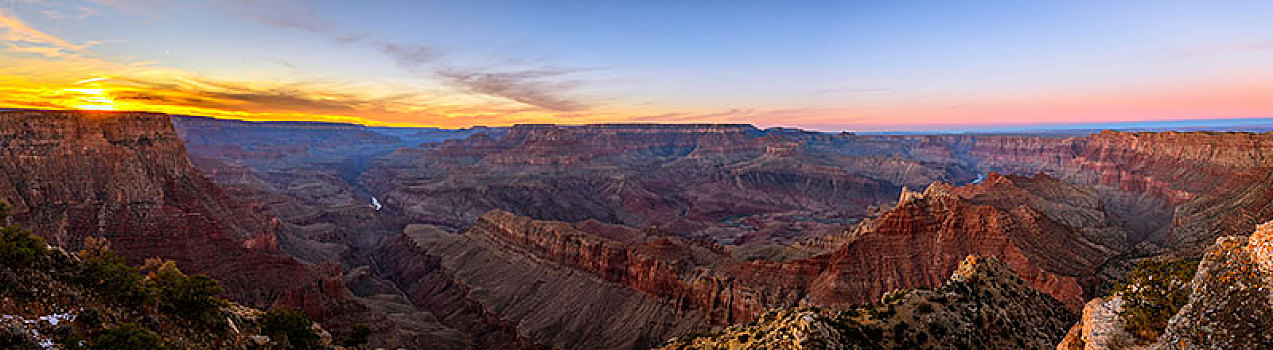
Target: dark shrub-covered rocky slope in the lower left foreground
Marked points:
91	300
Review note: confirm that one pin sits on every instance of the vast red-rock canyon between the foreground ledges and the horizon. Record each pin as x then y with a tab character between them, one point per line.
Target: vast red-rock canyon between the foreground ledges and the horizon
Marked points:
618	236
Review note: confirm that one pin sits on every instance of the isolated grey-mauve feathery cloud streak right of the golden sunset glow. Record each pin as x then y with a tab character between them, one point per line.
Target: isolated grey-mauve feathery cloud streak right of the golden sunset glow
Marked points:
539	87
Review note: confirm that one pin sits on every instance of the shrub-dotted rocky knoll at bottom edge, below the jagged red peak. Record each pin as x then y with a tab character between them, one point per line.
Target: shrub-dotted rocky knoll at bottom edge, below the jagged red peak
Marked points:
983	306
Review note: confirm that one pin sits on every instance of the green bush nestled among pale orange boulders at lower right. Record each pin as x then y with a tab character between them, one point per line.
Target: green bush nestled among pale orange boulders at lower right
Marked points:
1154	292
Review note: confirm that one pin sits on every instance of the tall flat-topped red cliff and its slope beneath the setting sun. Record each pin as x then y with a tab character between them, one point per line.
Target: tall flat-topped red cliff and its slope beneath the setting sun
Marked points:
125	178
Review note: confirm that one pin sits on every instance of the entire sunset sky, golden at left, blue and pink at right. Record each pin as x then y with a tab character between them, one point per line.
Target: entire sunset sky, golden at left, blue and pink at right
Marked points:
823	66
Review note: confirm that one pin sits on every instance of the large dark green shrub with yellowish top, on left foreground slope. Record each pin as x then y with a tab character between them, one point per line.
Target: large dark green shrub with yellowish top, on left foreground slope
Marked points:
194	298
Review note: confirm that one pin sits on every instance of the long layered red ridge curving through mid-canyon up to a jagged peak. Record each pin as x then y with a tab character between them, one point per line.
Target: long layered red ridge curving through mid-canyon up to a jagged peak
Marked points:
467	278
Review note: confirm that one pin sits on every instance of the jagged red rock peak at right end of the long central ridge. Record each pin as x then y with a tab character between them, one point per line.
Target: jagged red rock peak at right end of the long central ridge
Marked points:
926	236
